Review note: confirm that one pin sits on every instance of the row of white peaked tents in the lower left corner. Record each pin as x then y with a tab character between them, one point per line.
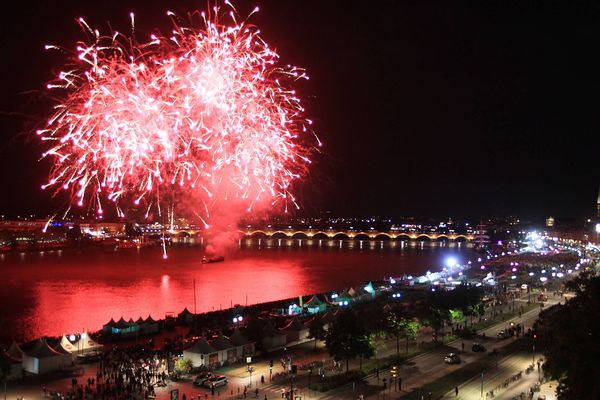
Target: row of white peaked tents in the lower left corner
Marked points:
41	358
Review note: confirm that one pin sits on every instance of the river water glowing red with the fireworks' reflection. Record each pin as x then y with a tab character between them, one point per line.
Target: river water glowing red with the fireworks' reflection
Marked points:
51	293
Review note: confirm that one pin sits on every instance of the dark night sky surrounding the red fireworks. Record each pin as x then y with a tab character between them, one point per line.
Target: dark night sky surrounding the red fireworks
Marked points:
450	109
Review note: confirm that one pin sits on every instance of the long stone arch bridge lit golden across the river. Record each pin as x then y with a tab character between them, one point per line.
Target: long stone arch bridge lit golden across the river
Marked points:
343	234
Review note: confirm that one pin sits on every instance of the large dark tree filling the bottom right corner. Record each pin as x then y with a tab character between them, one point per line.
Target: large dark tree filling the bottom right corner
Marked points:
568	335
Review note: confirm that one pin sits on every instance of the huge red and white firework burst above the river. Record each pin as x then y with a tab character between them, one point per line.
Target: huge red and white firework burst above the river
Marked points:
207	110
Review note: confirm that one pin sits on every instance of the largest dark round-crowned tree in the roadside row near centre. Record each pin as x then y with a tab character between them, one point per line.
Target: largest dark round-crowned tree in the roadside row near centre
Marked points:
347	338
